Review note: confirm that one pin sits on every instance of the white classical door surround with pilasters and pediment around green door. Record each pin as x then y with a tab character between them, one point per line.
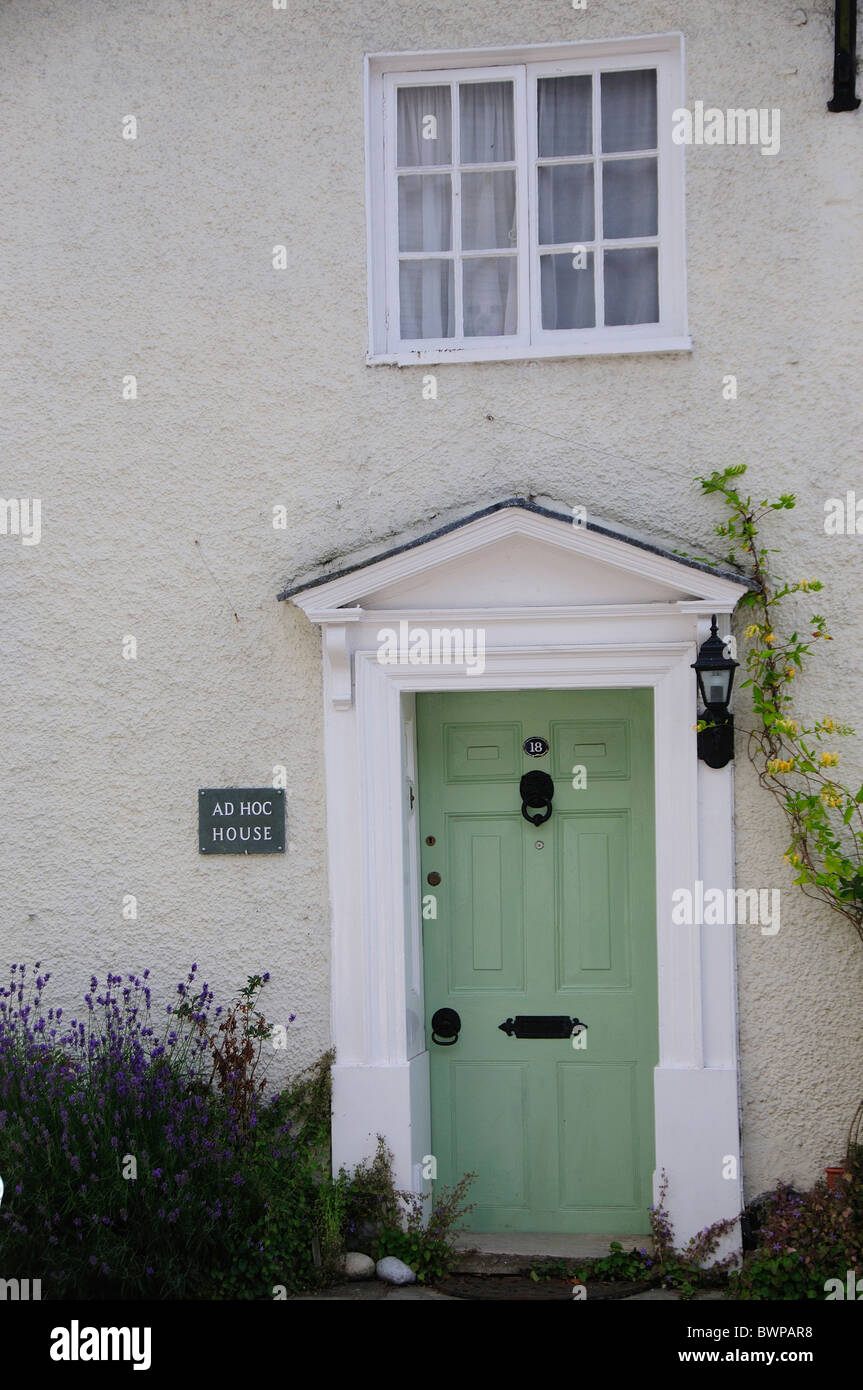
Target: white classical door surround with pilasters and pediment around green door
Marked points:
562	607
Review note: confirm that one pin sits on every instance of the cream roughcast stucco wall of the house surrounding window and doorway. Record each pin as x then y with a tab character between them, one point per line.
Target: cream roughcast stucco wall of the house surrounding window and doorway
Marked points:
155	258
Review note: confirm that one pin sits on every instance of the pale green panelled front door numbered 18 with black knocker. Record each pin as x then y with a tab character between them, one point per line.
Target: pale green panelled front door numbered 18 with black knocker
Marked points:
536	922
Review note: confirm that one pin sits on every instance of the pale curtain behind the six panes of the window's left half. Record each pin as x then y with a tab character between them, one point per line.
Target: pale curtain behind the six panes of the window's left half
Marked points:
488	212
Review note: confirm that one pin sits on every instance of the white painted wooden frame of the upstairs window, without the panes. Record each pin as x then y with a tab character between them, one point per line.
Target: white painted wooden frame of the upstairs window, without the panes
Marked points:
525	66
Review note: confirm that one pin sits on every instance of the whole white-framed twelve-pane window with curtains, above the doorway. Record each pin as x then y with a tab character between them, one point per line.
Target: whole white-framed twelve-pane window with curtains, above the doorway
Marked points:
526	209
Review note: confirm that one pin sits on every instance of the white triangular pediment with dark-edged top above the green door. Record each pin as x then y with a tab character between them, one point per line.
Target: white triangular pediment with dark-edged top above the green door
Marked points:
515	554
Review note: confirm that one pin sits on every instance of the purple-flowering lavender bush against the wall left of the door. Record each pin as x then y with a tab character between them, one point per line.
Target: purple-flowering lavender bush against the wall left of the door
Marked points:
129	1174
